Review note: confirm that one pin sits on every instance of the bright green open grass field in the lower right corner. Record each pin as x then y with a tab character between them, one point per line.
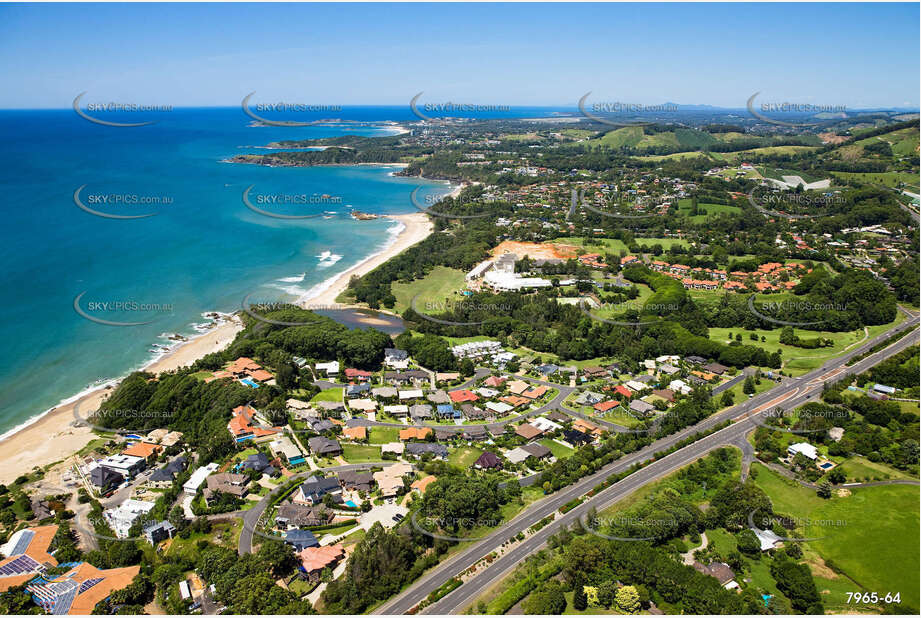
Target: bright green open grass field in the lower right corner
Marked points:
871	536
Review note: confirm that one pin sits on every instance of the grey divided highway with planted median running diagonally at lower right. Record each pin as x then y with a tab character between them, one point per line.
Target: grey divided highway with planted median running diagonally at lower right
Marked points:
787	395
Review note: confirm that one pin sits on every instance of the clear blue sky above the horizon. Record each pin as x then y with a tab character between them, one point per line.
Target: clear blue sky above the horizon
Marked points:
858	55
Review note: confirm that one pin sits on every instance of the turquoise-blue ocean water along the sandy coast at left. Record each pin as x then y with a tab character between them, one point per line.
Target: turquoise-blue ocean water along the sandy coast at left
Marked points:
202	251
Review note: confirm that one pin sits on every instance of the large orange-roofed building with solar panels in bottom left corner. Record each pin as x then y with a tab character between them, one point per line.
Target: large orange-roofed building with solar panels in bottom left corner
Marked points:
77	591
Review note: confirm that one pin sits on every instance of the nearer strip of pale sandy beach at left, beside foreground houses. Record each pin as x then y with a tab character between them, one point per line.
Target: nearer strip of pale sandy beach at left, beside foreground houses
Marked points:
54	437
